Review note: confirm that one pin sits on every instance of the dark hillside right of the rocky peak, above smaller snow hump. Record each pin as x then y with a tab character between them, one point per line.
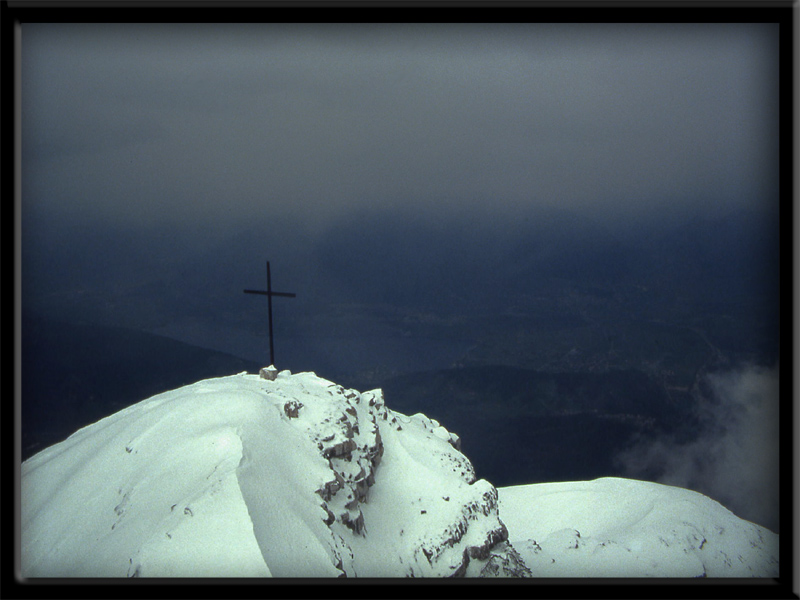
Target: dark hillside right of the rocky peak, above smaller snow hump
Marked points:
519	426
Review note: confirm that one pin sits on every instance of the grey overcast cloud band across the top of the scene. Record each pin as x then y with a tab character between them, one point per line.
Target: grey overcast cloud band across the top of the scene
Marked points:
205	127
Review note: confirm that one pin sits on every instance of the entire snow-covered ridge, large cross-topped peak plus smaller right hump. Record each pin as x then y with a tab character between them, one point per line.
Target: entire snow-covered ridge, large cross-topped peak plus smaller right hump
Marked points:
294	476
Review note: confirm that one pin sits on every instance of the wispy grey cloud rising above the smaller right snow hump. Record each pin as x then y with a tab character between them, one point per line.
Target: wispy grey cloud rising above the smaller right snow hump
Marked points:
734	459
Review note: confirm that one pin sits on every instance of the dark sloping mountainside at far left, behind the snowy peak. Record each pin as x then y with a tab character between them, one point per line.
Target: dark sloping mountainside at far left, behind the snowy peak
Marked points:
74	374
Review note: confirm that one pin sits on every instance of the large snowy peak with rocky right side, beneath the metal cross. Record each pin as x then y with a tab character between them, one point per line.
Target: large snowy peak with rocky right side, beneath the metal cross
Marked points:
247	476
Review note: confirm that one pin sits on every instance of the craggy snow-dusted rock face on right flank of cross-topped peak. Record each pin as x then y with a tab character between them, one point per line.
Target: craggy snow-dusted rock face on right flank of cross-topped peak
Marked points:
456	532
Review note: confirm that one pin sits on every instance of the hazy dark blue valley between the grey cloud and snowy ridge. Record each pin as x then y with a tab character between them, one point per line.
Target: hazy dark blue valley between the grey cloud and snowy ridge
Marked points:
553	350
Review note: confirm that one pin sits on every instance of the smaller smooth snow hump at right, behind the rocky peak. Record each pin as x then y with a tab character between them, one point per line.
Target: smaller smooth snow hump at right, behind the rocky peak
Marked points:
614	527
